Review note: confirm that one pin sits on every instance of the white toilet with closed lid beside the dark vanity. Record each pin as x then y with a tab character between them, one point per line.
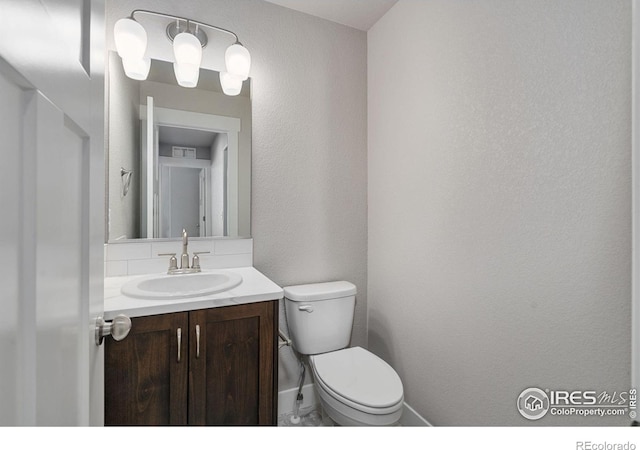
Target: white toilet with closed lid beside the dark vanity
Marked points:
354	385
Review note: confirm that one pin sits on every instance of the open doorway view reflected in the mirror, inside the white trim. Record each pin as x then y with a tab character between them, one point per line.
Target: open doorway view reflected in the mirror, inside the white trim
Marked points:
191	178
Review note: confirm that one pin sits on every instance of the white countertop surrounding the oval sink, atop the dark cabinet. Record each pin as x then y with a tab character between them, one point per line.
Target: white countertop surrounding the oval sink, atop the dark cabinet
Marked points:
255	287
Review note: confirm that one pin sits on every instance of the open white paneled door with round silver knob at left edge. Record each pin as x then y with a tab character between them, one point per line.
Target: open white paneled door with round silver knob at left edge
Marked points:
52	221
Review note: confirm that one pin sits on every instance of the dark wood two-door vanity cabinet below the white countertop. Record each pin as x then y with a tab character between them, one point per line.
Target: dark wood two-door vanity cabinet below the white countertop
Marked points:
213	366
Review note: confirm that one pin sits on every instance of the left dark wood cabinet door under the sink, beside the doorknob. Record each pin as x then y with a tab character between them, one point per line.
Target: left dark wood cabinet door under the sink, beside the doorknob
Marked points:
146	373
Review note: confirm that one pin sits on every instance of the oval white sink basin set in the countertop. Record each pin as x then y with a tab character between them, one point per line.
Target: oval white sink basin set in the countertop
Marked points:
169	287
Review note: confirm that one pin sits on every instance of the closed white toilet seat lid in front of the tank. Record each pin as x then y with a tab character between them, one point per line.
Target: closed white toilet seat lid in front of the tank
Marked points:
359	379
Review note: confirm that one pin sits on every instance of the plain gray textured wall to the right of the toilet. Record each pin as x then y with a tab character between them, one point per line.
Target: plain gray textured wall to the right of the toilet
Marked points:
500	202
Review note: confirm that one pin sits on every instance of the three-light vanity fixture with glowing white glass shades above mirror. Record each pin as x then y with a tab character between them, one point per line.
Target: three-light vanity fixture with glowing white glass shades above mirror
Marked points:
188	40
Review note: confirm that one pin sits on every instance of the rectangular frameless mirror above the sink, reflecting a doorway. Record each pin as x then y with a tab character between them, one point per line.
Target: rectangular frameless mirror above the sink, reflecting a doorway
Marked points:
177	158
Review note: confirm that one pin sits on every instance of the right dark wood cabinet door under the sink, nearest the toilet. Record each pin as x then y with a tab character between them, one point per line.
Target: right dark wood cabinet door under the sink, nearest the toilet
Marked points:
232	371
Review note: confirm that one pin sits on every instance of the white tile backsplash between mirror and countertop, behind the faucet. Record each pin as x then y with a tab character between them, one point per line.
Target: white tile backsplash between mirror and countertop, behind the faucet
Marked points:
139	258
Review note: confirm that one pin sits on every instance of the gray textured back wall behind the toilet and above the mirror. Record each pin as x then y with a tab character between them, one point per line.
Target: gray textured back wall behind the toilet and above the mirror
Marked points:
309	177
